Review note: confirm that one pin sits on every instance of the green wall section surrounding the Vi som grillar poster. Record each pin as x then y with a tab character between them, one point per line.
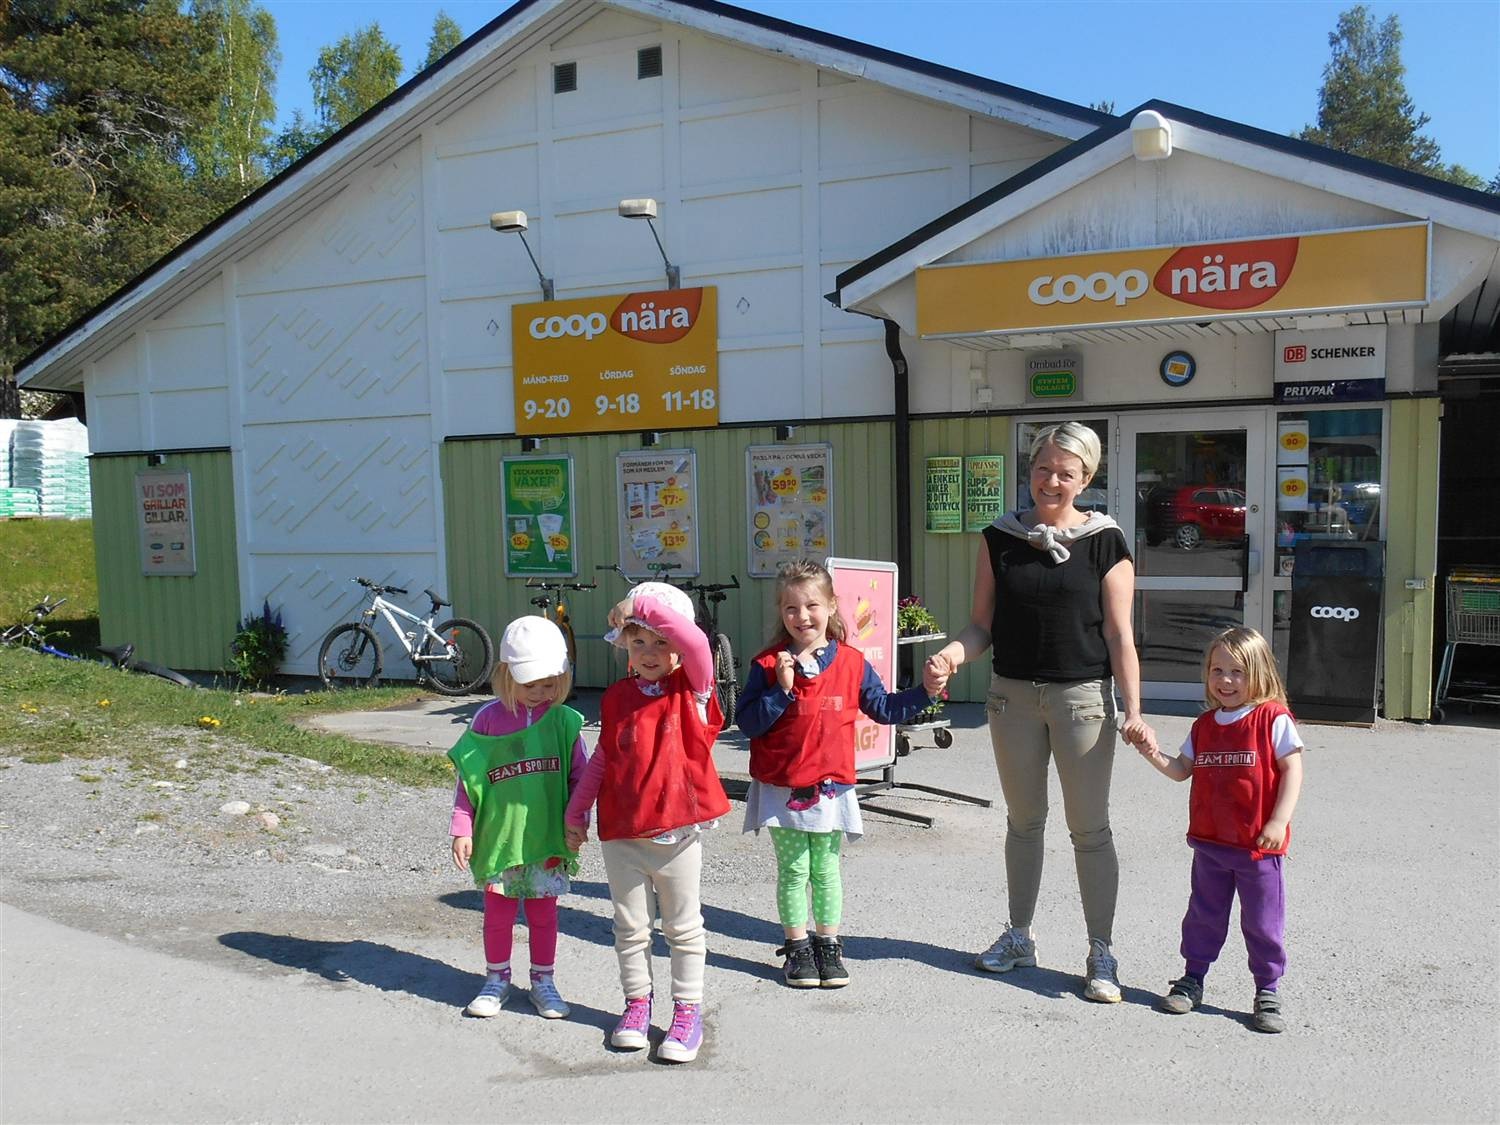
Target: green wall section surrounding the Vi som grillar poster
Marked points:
185	623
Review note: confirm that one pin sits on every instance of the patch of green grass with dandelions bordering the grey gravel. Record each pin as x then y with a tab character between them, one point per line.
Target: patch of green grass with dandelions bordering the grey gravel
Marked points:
55	709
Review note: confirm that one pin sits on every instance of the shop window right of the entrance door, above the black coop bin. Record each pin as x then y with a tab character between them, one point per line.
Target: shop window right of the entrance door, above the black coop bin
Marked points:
1328	479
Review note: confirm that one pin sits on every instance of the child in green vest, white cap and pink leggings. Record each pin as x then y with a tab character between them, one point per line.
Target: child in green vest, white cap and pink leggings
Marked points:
517	764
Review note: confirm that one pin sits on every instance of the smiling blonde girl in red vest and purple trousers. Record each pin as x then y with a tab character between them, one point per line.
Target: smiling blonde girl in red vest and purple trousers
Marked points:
1246	763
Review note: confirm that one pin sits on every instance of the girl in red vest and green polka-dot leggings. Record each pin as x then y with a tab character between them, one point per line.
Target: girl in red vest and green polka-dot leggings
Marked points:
803	697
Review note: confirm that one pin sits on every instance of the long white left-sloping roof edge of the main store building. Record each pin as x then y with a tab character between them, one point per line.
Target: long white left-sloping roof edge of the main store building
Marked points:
287	193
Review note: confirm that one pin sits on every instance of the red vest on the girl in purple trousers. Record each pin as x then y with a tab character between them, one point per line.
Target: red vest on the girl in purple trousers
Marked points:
1235	779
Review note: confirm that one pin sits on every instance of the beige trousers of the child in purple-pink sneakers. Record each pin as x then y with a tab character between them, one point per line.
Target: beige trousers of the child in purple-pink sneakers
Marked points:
641	877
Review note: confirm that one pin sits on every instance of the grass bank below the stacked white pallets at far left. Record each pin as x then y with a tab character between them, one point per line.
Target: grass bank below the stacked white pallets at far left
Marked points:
52	557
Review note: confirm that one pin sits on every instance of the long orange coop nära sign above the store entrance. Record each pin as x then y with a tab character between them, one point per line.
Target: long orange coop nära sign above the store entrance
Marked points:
1384	268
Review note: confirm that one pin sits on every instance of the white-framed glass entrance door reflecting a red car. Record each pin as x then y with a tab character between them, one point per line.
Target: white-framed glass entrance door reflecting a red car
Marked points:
1193	509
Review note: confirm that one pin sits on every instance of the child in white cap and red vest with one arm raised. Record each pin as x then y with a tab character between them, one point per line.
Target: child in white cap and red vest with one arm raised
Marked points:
655	781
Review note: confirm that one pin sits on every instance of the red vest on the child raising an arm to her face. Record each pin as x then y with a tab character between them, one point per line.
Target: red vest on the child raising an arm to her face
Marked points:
659	766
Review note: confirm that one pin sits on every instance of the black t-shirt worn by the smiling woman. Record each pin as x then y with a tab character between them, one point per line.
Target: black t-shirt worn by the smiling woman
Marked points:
1049	617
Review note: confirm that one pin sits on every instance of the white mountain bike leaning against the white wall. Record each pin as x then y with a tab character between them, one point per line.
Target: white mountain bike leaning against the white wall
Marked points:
454	658
